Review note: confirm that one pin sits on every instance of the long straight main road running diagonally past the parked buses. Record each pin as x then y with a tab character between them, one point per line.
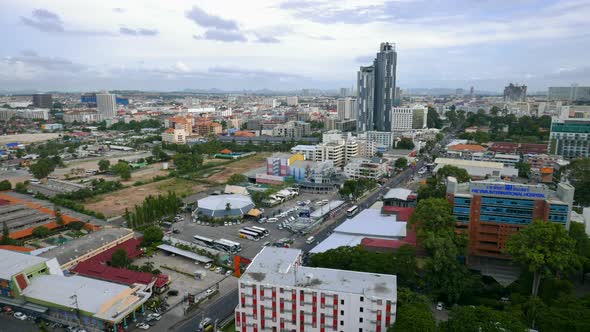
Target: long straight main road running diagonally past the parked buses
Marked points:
225	305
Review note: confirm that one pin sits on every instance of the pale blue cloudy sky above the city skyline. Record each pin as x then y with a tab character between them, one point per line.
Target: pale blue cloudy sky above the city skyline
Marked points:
74	45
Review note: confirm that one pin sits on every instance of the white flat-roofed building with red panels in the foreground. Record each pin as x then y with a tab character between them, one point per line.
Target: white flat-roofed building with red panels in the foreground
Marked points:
276	293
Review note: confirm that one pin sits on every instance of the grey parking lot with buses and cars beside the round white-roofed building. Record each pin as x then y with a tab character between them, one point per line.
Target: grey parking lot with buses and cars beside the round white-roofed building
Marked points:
250	248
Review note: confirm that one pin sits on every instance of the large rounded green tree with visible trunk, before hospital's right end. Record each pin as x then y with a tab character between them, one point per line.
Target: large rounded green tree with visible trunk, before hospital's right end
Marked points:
544	248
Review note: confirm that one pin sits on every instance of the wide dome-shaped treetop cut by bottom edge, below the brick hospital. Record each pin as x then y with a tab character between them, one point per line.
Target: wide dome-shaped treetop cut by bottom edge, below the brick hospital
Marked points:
481	319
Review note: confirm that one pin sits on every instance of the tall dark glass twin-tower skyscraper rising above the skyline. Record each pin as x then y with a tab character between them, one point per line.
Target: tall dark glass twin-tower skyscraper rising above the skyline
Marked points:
381	93
